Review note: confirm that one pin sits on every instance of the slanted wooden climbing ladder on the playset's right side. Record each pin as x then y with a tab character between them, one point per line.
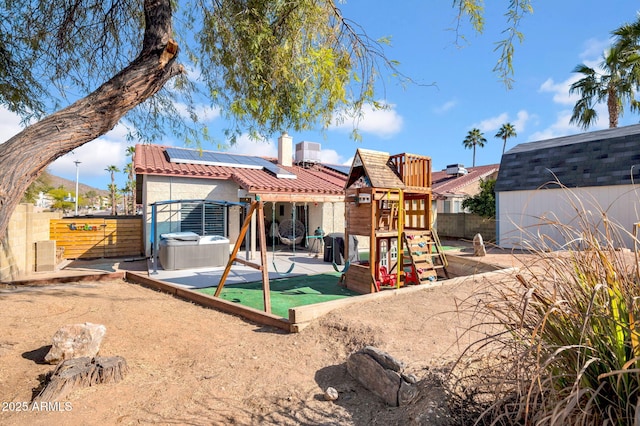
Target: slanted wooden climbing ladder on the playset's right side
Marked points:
424	256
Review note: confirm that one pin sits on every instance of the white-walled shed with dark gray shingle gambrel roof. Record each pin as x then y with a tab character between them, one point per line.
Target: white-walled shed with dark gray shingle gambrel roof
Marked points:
555	180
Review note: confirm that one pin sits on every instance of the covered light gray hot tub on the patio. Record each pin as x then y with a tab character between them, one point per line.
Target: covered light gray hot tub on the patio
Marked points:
186	250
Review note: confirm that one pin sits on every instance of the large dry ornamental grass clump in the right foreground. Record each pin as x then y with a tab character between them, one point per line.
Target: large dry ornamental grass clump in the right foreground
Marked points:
561	337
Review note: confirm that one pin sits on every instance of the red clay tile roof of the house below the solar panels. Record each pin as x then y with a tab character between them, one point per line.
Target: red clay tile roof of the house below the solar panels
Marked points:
152	160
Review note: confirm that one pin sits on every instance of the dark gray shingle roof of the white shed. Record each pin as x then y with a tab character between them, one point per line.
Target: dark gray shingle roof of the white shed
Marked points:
600	158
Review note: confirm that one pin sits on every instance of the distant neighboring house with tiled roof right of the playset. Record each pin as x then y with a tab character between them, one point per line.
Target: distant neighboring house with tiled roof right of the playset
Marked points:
455	183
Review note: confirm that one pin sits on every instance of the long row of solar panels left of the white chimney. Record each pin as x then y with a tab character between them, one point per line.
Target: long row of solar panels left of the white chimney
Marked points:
210	158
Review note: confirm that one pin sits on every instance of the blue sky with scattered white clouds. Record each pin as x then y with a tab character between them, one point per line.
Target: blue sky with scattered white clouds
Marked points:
455	87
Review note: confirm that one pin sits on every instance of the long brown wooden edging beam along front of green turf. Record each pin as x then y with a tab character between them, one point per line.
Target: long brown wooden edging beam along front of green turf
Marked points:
211	302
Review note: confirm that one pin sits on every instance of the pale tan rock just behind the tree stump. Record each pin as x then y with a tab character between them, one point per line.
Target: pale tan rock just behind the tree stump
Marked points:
75	341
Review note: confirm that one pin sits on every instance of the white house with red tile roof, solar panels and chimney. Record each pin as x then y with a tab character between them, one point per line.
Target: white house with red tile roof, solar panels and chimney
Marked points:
303	190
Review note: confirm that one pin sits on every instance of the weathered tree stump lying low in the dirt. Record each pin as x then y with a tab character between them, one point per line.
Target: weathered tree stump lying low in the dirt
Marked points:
79	373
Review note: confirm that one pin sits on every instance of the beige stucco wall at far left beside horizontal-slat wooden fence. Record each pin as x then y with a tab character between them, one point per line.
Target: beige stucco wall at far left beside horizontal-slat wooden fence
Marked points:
17	251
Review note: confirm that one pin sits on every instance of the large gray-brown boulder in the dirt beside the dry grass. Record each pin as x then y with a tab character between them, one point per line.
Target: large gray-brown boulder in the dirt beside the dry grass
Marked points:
383	375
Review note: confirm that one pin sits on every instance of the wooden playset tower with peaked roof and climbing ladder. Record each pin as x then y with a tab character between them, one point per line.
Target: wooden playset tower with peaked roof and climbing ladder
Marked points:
388	201
